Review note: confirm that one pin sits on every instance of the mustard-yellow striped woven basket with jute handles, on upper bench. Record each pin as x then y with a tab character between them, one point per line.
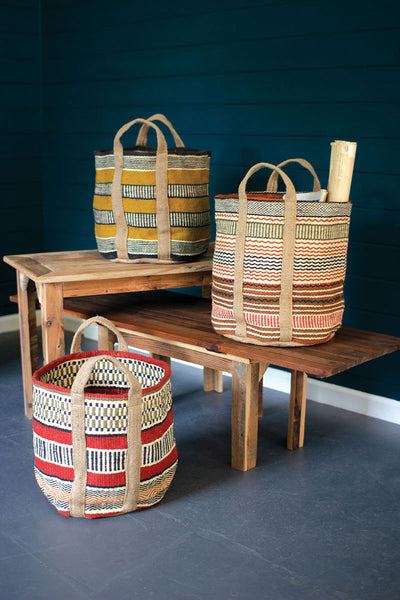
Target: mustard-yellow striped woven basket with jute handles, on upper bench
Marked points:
152	204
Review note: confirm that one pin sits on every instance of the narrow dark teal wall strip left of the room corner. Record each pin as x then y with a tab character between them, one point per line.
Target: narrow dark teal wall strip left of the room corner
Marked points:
20	120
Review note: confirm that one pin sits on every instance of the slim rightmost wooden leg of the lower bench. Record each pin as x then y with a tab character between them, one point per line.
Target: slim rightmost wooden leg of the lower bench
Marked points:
297	410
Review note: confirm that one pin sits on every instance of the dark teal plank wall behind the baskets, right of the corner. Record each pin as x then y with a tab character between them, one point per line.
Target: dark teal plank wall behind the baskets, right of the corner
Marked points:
252	81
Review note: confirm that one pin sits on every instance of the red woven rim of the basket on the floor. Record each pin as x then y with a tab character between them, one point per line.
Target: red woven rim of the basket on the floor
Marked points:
77	355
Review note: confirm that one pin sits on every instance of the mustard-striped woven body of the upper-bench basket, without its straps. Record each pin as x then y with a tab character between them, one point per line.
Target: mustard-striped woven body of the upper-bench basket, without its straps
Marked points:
188	199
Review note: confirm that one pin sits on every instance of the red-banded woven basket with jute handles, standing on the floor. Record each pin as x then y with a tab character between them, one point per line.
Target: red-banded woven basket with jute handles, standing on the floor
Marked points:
103	430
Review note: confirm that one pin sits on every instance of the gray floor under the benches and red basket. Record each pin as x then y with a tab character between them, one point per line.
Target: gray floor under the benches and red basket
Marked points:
316	524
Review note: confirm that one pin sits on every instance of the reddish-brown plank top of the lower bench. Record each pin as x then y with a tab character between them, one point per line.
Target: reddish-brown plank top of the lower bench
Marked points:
187	319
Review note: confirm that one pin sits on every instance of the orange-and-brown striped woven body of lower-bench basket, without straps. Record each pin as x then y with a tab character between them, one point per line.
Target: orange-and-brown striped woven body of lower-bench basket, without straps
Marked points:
319	267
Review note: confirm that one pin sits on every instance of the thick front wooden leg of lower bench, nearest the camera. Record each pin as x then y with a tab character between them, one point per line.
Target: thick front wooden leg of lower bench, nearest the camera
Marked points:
245	379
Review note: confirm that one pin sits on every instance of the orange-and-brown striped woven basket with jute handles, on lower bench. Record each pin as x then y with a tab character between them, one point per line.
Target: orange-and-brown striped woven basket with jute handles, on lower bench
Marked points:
279	263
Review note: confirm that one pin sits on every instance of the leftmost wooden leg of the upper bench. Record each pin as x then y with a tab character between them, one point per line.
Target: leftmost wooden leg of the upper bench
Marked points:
28	336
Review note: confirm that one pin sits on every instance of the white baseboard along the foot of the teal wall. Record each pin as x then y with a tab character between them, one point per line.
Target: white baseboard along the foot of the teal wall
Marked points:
338	396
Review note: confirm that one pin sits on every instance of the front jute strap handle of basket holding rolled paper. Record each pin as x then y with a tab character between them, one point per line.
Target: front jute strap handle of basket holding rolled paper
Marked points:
289	237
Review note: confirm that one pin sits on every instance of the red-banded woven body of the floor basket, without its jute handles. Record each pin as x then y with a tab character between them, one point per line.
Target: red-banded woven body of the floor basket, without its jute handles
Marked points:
105	408
